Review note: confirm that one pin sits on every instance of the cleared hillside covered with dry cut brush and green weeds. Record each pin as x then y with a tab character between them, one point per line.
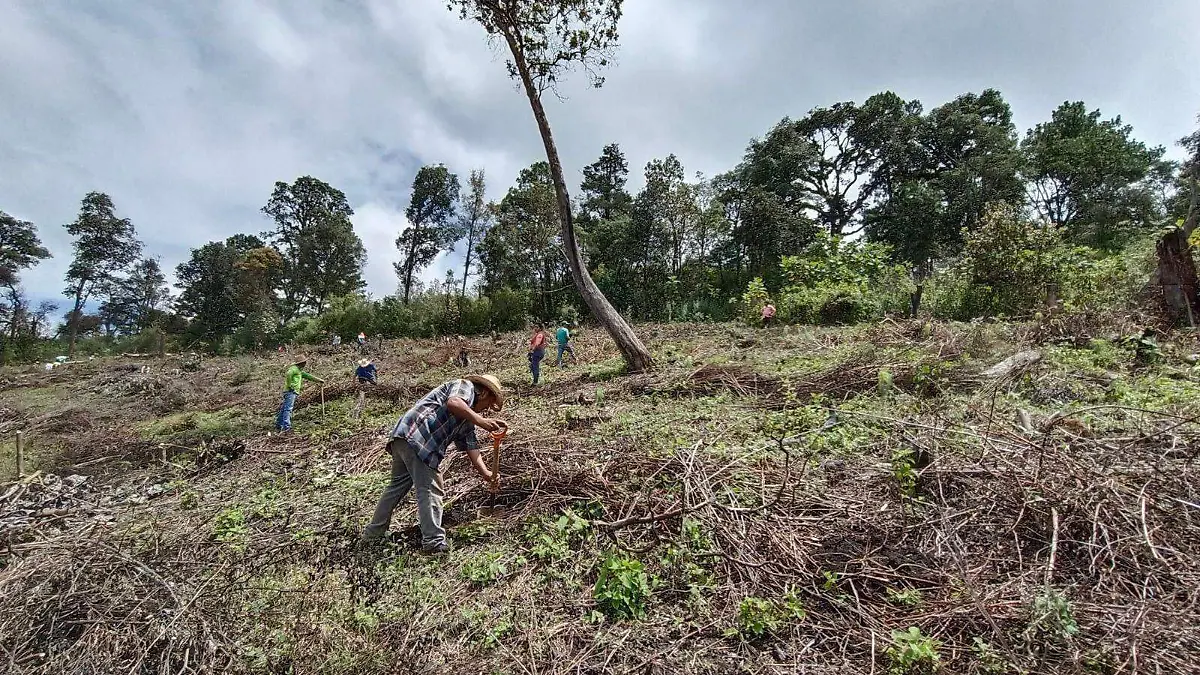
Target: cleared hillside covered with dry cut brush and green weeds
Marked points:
860	500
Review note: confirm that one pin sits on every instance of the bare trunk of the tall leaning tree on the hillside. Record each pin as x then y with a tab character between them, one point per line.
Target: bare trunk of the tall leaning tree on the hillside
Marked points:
637	356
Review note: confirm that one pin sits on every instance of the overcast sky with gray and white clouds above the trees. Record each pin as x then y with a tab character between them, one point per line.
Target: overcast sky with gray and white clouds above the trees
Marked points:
187	114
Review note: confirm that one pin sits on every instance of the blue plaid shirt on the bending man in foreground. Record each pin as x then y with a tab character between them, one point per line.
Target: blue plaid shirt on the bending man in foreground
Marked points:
429	427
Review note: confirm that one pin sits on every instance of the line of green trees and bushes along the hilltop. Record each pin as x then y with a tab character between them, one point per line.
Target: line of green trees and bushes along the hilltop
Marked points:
845	214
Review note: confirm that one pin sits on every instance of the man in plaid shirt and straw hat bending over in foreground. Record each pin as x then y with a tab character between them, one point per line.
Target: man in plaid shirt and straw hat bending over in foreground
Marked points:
418	445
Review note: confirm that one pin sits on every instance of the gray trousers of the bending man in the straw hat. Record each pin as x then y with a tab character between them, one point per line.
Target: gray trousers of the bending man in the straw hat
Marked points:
409	471
